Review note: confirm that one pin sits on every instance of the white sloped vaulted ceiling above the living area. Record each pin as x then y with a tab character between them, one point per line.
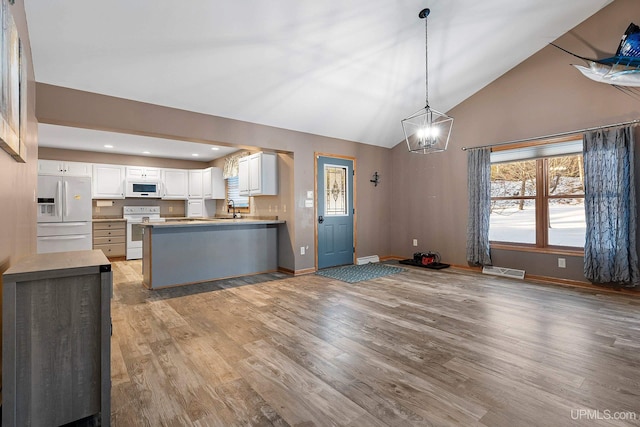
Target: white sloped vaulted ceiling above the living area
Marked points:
345	69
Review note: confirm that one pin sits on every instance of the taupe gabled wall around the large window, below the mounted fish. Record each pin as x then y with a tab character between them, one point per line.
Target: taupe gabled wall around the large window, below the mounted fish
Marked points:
541	96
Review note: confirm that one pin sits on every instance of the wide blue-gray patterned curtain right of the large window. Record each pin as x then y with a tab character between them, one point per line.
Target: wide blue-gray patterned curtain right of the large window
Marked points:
610	254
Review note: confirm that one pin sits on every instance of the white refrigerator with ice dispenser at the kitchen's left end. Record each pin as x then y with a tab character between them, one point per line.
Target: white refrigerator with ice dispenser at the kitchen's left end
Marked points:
64	214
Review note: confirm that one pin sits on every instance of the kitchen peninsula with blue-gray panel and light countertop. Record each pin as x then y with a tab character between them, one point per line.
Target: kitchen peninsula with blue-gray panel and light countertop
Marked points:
184	252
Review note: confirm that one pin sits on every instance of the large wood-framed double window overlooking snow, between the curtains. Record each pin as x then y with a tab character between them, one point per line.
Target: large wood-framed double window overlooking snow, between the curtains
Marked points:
538	202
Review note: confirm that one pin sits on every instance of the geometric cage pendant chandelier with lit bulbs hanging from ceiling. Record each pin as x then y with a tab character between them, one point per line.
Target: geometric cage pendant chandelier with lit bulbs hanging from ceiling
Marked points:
427	130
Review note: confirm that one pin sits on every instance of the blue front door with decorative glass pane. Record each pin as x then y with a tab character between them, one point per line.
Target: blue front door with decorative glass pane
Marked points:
335	211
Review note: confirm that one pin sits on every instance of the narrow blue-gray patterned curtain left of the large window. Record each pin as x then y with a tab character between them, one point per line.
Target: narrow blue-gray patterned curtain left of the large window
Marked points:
479	188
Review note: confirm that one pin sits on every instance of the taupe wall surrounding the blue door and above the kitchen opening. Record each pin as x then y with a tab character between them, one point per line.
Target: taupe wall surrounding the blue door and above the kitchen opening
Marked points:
63	106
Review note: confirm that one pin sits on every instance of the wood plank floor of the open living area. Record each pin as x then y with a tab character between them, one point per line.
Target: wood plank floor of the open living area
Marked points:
417	348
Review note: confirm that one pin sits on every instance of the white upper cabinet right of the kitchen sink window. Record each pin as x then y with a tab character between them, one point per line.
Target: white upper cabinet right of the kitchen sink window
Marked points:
258	175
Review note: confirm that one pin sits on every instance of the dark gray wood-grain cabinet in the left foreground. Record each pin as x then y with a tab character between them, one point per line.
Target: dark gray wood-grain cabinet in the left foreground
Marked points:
56	335
